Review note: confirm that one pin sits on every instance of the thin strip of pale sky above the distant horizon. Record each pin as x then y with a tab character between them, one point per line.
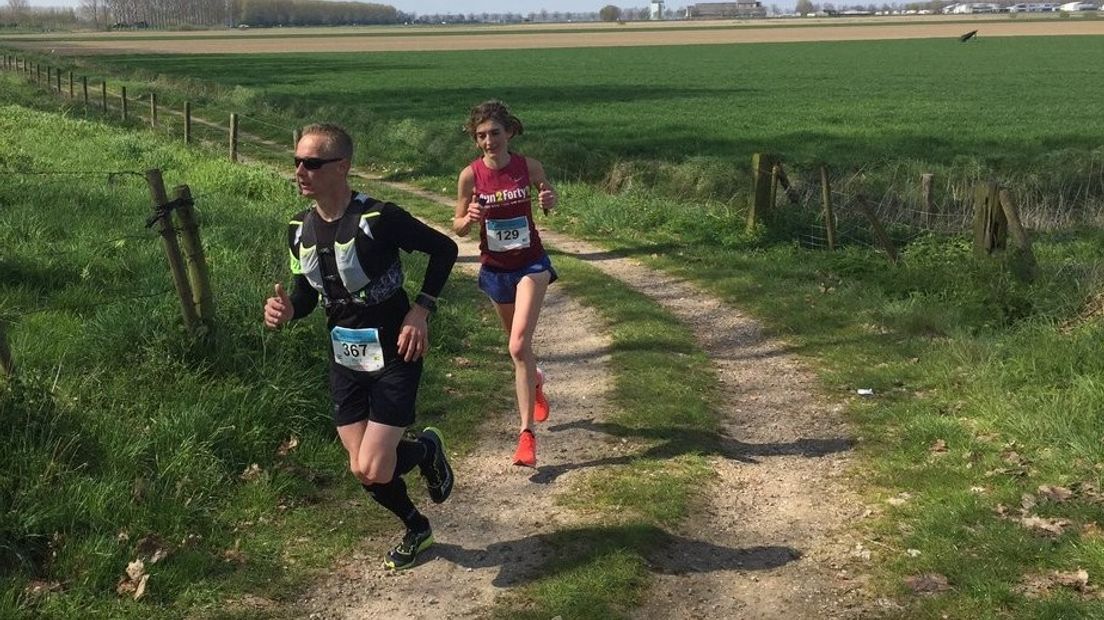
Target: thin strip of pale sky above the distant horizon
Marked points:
426	7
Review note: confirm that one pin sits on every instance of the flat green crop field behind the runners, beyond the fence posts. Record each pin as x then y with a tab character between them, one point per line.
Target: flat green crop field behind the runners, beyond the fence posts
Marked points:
1006	102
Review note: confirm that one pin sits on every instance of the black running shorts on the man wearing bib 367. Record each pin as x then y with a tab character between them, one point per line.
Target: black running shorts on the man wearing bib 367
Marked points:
386	397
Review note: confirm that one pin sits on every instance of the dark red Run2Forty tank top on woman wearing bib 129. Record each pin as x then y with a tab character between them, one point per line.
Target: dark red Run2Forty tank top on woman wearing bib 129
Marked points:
508	238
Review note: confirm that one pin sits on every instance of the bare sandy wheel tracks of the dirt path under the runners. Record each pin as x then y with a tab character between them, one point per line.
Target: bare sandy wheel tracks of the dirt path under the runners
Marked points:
772	541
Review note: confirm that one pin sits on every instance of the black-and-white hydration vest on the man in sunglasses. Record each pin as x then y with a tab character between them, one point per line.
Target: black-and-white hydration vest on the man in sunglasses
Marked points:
369	271
